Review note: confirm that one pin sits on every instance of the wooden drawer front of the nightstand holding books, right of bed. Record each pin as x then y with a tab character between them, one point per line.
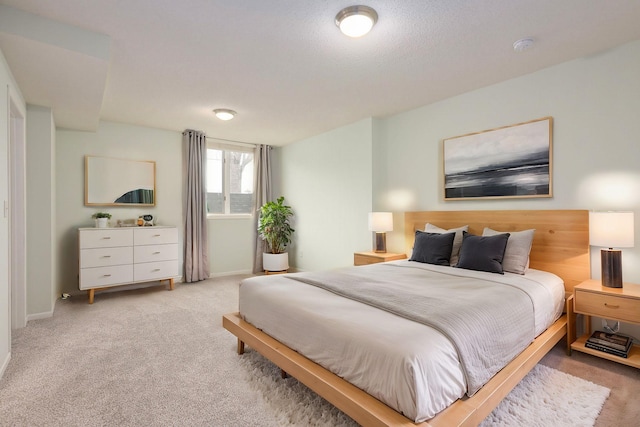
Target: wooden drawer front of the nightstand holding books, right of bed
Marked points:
607	306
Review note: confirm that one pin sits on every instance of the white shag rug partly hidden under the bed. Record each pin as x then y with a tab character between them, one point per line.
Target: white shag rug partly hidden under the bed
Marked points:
545	397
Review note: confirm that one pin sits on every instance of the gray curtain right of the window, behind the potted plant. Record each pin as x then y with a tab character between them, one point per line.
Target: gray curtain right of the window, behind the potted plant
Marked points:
262	186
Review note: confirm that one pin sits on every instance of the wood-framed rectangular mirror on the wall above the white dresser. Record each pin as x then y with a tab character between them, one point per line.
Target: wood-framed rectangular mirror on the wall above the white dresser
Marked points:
119	182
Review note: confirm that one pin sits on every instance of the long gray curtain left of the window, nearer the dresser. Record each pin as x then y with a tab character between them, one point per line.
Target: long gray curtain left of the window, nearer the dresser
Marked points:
196	248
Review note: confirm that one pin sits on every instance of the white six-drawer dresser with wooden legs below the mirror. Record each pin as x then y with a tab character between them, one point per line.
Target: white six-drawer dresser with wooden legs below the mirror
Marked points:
120	256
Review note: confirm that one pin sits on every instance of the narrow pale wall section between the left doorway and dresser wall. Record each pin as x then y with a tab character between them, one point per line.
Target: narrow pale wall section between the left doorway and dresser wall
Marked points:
41	212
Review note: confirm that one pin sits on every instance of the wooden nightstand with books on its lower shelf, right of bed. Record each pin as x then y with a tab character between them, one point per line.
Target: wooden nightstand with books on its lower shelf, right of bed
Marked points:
622	304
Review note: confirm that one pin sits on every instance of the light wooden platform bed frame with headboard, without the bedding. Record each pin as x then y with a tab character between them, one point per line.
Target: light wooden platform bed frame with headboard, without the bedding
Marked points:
561	246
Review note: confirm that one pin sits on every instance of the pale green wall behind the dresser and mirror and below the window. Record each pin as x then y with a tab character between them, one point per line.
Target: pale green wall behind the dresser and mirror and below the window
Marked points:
230	245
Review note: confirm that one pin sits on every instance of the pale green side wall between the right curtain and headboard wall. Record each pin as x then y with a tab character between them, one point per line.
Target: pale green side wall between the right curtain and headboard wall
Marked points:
327	180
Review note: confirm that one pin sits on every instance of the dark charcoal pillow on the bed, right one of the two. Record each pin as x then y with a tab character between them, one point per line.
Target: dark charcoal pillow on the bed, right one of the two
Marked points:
483	253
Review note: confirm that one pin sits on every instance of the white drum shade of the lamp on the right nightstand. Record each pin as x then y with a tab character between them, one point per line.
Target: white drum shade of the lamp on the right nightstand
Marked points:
611	229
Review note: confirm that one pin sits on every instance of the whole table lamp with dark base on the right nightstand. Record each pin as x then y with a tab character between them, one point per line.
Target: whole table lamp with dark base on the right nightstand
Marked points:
609	230
